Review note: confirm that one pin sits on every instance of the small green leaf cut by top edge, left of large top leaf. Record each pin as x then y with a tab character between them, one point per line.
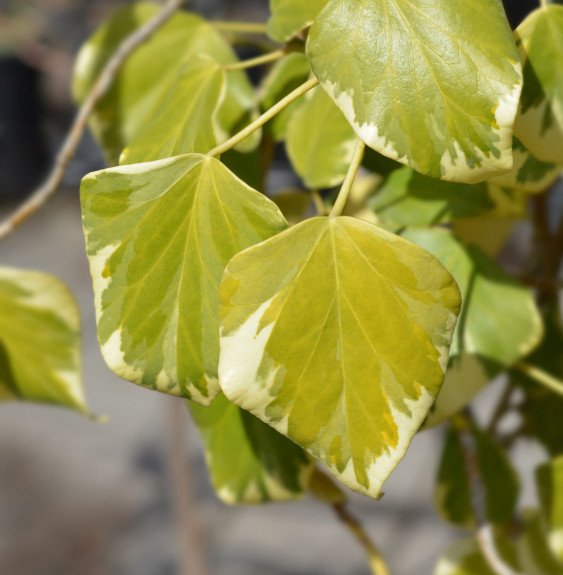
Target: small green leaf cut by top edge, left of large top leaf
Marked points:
289	17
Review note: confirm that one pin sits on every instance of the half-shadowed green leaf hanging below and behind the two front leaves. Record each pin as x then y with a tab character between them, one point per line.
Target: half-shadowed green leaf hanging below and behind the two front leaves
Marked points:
249	462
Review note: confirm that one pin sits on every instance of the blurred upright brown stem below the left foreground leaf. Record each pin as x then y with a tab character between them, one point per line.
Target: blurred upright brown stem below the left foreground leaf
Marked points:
190	540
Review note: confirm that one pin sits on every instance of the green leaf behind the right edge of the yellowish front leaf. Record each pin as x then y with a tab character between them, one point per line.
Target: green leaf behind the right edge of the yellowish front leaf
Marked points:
499	320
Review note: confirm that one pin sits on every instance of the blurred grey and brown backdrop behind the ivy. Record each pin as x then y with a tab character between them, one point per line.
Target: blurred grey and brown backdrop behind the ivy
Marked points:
78	497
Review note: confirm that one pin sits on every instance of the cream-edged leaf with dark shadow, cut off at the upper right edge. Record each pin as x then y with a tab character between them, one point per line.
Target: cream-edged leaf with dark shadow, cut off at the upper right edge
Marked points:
539	124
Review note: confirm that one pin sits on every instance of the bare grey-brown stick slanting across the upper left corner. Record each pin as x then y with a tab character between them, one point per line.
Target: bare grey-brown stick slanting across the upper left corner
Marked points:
103	83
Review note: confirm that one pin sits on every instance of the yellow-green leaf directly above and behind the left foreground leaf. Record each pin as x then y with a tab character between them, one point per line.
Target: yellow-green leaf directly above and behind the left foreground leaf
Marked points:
186	122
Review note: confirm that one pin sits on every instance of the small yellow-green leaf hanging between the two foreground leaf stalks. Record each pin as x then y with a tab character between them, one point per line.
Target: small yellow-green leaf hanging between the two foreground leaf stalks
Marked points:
320	142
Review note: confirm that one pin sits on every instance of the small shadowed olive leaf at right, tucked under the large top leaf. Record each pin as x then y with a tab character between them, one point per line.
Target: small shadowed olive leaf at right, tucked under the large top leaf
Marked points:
528	173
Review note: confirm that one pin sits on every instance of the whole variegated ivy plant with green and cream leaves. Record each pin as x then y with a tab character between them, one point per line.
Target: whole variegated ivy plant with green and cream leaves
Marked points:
314	331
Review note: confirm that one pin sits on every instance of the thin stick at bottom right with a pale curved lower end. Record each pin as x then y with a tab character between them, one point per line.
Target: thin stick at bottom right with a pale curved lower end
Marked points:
484	533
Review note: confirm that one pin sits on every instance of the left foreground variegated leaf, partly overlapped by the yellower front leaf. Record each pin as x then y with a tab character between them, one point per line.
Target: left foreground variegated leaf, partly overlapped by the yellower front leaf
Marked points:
158	236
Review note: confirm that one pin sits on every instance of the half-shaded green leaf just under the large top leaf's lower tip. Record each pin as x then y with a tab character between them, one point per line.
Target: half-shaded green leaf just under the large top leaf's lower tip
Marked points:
407	198
